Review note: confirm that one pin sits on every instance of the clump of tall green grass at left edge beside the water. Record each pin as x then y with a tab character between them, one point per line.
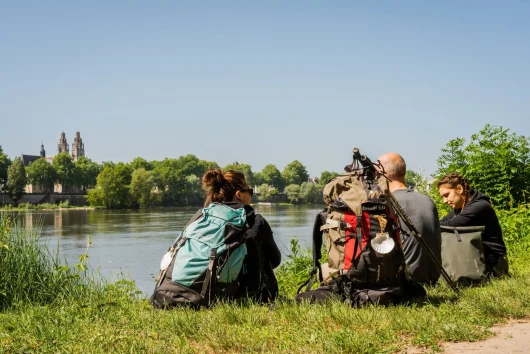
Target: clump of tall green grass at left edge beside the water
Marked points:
31	274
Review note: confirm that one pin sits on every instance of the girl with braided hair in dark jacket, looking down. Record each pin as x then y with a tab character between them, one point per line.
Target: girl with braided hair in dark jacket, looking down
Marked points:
473	208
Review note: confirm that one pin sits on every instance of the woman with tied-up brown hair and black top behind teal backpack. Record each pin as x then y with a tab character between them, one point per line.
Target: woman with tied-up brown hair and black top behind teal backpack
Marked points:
231	188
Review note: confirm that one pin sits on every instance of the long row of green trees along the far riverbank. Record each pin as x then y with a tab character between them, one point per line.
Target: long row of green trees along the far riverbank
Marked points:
142	183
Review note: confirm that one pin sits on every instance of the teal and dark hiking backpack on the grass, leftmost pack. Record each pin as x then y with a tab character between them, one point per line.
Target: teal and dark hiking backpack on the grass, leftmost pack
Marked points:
211	259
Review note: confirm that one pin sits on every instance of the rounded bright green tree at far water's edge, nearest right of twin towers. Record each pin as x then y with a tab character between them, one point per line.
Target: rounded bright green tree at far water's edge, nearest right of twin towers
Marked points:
112	188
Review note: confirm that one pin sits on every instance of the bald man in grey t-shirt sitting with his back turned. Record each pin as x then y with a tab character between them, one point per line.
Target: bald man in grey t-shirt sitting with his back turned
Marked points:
423	214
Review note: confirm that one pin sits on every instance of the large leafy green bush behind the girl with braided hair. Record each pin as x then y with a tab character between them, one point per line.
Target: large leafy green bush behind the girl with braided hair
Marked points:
495	161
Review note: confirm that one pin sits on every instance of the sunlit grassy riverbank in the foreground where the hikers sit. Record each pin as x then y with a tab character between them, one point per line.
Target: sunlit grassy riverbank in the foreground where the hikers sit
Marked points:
46	307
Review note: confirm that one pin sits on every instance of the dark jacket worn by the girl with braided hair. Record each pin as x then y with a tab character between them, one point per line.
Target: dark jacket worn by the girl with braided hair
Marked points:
479	212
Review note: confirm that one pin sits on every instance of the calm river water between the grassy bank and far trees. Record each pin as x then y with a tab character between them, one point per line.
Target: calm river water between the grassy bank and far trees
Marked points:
130	244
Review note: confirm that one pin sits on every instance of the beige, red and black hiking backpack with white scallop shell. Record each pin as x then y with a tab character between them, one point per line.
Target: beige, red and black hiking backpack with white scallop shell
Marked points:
365	256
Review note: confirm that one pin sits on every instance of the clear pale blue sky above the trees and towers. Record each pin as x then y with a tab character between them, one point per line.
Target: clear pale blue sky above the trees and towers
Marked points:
261	82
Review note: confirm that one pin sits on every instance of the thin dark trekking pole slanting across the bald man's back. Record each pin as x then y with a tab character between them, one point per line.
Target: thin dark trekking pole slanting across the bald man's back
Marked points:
371	171
